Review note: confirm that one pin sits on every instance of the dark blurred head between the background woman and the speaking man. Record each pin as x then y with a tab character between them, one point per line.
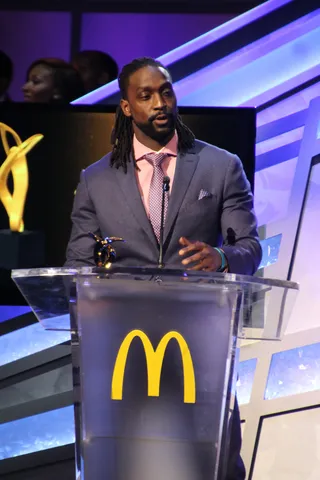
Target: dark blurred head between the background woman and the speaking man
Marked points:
96	68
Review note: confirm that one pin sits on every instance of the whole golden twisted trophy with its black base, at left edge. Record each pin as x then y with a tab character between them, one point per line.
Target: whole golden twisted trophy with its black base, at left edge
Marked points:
19	248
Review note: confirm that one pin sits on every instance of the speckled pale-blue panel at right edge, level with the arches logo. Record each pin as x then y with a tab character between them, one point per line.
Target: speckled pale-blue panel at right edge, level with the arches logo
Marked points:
294	371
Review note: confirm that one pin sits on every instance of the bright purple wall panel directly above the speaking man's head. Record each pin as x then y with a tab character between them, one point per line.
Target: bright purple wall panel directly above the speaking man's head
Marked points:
126	36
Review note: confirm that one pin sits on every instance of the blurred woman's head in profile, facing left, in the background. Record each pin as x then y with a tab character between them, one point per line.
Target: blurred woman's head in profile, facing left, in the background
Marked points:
52	80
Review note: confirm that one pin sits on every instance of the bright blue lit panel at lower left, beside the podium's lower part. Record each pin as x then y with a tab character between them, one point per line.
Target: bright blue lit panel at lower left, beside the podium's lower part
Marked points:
39	432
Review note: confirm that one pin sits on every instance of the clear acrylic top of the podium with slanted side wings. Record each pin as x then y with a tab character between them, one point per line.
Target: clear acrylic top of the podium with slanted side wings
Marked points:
265	307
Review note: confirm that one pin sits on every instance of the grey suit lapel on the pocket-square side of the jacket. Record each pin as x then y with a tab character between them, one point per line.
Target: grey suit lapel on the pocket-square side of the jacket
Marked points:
185	168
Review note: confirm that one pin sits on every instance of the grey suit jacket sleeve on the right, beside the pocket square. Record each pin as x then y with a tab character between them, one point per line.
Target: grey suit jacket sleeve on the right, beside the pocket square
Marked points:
238	222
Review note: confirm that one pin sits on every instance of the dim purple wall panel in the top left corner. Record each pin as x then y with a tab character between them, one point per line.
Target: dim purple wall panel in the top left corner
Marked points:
26	36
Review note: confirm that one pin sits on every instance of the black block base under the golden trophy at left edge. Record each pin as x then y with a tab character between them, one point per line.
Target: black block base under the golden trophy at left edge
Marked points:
21	250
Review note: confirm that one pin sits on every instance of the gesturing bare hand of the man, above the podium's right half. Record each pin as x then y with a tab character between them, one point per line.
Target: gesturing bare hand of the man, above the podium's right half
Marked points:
203	256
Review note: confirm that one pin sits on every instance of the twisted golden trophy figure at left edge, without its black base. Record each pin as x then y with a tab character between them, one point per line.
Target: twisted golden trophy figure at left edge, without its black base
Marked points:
16	163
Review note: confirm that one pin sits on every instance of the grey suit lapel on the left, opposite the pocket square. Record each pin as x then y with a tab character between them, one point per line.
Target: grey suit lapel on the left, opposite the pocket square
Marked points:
131	194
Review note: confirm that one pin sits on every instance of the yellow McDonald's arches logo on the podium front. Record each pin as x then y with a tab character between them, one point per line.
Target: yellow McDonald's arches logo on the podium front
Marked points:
154	359
